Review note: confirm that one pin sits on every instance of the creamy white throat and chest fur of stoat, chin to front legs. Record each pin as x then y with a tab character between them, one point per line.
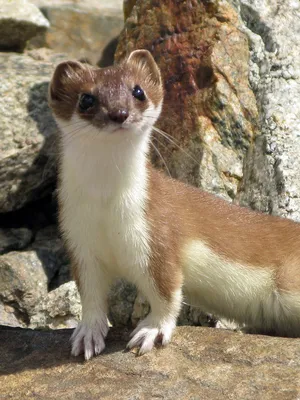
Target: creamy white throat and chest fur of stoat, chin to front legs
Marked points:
102	197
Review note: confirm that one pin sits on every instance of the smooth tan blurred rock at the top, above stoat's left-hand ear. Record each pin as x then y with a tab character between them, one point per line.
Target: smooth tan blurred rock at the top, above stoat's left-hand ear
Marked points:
83	30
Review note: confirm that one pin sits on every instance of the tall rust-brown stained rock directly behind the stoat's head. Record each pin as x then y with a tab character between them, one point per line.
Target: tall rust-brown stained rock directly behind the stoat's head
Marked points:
209	110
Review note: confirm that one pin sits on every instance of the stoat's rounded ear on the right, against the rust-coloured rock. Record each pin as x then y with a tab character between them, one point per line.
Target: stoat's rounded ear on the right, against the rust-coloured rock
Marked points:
143	60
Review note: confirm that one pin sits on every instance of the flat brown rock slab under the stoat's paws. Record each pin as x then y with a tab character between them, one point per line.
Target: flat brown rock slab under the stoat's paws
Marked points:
201	363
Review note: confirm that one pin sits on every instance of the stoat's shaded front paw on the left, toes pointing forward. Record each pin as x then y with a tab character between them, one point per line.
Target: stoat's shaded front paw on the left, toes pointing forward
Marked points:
89	338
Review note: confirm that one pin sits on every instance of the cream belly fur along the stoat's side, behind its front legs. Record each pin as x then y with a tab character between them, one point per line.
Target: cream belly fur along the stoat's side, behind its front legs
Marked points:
238	292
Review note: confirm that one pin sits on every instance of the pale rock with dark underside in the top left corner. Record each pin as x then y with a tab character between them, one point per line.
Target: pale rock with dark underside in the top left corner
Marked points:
19	21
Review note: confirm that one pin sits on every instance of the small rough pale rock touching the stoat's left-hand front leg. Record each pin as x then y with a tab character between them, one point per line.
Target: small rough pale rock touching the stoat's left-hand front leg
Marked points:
60	309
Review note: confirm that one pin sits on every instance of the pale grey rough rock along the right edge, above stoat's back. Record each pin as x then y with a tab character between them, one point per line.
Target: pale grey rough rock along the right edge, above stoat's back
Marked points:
271	180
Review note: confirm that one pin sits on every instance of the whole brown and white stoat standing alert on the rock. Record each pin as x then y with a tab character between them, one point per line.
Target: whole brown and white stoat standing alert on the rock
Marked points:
122	218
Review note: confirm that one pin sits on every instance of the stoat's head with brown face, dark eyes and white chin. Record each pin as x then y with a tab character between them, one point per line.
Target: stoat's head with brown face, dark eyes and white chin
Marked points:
120	100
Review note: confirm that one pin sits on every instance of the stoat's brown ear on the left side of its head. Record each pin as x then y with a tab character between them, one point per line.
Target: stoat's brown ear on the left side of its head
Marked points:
64	74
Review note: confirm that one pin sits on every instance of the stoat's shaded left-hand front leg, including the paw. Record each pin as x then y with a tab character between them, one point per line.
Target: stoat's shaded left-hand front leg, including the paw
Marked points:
93	285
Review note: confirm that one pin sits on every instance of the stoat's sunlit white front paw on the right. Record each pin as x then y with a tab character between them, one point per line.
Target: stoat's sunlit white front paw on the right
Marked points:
148	333
